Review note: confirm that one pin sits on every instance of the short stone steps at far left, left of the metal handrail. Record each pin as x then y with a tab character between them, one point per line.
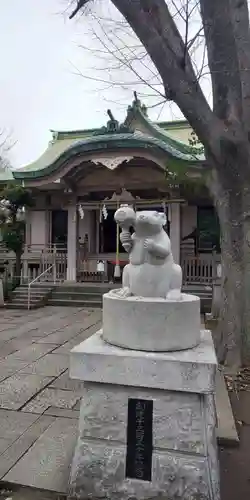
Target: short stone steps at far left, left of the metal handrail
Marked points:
39	295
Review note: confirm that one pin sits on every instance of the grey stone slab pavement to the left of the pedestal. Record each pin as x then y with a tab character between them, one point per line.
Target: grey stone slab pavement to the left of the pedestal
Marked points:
39	404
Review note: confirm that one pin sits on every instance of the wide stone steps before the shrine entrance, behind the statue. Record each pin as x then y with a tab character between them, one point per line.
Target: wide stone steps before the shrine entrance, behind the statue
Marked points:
90	295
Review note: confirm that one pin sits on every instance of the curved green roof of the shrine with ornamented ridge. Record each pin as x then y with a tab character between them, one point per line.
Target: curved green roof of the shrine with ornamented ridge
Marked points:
66	144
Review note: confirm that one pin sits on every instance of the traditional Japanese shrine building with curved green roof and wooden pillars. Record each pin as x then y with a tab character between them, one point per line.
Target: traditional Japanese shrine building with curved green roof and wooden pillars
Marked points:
85	175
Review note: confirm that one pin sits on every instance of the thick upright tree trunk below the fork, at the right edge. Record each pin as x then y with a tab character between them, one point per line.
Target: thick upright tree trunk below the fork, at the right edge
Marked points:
232	200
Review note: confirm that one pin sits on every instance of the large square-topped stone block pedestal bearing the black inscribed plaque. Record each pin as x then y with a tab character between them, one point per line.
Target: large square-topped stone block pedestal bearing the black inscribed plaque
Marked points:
147	423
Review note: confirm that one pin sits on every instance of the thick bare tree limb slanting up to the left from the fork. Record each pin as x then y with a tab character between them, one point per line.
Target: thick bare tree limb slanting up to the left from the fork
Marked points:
156	29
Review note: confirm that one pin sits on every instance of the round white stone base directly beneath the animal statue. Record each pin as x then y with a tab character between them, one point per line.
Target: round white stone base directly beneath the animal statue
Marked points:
151	324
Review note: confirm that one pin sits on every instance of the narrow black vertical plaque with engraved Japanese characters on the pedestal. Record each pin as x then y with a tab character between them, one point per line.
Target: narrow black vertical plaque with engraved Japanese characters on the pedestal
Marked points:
139	439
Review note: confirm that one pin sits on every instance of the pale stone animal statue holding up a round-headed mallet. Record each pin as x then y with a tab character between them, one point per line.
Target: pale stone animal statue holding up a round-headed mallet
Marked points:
151	271
